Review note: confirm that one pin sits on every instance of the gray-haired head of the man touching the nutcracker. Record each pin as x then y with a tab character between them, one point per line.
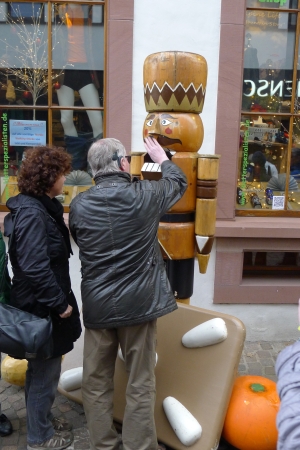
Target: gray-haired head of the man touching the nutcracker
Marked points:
101	154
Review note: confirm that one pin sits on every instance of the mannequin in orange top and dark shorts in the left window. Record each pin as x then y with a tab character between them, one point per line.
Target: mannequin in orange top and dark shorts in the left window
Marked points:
78	77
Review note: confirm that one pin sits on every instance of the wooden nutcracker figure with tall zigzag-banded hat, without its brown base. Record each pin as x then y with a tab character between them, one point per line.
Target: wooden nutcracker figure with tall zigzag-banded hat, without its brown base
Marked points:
174	93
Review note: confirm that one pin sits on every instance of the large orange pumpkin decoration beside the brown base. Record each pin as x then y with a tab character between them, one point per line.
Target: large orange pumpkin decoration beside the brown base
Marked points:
250	422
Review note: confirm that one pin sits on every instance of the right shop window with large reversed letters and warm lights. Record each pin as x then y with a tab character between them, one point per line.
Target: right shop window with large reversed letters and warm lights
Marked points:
269	151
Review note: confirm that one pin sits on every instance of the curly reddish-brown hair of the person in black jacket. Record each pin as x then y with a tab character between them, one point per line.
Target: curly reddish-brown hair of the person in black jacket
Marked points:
40	169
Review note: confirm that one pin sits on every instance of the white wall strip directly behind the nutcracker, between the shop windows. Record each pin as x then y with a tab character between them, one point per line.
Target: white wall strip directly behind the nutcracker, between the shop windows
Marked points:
192	27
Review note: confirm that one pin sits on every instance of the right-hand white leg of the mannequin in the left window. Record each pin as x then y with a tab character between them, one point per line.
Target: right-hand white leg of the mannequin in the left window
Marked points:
90	98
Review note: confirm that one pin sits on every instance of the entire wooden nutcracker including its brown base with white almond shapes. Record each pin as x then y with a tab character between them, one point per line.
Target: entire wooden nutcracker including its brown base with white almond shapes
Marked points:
193	383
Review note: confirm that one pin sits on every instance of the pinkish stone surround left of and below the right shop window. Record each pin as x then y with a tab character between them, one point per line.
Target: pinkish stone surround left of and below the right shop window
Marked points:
237	235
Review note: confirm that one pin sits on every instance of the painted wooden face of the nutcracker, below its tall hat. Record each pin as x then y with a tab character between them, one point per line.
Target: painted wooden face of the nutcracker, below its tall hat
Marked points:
181	132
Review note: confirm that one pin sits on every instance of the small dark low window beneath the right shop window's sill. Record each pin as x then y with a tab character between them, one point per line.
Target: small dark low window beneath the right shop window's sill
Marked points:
284	265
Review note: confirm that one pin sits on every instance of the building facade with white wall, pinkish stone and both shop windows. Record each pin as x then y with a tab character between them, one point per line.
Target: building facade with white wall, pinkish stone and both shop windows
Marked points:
250	114
